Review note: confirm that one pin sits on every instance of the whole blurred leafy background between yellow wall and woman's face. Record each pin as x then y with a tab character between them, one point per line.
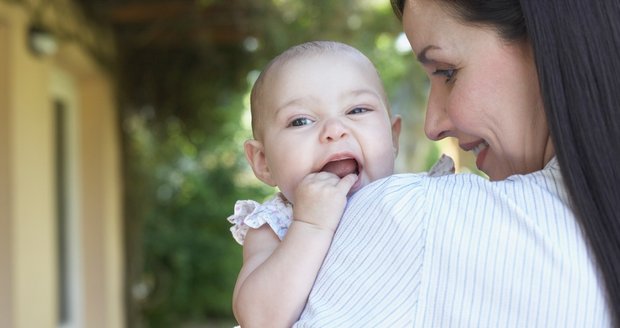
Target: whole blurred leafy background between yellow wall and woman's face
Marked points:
185	71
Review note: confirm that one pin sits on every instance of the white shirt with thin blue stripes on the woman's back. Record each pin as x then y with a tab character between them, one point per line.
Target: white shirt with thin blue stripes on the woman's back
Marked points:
458	251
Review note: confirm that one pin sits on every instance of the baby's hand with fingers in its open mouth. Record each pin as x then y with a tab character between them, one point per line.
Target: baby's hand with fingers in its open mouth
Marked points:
320	199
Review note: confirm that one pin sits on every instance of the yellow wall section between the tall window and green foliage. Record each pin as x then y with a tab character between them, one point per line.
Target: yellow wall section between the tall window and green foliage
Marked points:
101	229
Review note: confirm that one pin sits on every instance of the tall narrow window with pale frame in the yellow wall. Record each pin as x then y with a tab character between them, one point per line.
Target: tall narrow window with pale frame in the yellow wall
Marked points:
69	302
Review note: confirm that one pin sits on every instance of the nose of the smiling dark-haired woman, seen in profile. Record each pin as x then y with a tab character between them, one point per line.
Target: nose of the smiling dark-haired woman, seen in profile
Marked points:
437	124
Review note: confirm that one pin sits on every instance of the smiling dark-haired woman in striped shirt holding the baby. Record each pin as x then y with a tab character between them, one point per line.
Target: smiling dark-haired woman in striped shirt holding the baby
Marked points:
529	87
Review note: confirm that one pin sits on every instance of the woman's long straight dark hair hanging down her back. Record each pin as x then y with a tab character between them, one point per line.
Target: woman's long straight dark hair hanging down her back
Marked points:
576	45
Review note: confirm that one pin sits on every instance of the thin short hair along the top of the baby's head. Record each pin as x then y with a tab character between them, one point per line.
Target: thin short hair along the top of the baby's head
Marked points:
305	49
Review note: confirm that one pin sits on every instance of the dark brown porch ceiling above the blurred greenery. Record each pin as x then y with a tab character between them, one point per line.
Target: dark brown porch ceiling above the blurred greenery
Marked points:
175	23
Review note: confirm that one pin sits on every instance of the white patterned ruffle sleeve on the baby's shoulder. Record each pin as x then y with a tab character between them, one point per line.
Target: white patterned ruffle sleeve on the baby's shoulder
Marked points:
276	212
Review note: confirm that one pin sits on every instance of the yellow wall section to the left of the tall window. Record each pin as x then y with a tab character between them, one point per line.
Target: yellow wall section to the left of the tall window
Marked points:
33	269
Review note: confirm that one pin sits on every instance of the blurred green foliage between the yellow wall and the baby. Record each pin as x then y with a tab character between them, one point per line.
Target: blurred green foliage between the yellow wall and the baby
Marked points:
190	258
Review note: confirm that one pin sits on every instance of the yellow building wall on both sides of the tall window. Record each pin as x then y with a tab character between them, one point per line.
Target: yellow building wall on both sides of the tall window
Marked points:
28	236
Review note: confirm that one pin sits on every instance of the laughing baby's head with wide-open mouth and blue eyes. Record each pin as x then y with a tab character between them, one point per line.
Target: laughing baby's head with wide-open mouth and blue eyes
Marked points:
321	106
